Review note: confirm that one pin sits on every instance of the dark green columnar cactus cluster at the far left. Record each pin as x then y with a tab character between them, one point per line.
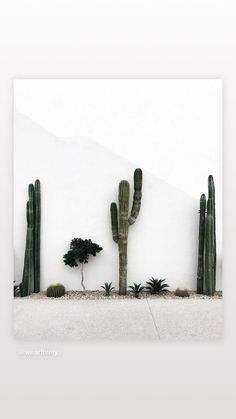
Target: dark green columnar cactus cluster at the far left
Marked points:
31	272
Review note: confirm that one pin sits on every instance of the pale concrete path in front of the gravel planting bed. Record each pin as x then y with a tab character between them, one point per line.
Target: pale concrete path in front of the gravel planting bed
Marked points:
144	319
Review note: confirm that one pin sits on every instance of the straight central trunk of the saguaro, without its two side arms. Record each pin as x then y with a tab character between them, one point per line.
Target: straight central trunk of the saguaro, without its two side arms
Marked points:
124	189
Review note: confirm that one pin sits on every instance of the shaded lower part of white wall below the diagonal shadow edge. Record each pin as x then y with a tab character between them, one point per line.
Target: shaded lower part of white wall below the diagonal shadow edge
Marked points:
79	179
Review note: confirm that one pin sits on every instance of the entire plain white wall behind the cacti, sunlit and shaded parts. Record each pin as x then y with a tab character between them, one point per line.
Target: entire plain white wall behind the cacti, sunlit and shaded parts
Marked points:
81	137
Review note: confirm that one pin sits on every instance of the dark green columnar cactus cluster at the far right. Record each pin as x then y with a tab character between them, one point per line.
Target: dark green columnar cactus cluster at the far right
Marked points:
206	276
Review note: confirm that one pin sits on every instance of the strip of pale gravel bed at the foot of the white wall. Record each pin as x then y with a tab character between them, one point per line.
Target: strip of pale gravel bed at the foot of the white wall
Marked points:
99	295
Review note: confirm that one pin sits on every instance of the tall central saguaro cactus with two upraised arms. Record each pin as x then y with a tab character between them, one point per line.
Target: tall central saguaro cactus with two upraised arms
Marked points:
120	222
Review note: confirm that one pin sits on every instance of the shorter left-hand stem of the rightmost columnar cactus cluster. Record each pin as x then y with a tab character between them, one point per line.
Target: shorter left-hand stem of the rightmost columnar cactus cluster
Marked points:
201	240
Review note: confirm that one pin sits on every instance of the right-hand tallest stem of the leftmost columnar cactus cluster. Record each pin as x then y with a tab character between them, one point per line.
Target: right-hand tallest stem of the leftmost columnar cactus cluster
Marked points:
37	237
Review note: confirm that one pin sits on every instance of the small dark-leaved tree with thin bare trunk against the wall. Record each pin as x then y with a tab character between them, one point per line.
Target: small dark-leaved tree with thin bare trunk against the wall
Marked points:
79	253
